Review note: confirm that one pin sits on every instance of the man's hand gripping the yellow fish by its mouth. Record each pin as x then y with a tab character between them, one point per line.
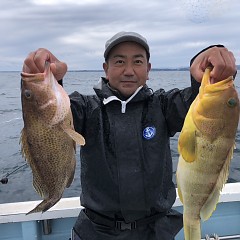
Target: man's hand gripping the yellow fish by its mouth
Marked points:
220	59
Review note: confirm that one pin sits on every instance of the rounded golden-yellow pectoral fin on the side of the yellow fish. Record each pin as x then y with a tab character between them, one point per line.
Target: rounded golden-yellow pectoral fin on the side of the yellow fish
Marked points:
186	145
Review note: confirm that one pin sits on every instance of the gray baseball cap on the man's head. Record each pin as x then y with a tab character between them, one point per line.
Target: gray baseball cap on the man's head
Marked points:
125	37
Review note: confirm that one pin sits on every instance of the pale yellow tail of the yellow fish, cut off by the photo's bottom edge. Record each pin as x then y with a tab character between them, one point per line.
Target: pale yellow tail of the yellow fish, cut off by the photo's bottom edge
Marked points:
192	229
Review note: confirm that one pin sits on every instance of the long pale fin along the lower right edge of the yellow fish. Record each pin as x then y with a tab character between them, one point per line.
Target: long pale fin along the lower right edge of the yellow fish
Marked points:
211	203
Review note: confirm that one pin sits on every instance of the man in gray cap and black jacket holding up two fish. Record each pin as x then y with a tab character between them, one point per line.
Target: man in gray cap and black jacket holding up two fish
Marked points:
126	165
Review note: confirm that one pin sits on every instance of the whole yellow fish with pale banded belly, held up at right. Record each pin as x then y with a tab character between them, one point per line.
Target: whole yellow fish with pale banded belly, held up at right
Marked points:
206	145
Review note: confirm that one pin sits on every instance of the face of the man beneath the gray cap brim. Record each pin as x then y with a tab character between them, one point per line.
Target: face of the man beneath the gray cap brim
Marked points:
127	67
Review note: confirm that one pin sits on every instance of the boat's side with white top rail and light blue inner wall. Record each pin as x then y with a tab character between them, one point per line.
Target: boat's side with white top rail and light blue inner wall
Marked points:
56	223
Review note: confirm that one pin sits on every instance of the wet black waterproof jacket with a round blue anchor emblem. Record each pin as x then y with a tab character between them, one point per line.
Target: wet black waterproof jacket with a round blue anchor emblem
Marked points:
126	171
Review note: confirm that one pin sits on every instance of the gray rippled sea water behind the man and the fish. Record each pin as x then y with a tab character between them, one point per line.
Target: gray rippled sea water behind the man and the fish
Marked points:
12	164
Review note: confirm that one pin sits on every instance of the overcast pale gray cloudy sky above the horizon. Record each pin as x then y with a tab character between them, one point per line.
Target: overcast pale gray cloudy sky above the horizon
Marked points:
75	31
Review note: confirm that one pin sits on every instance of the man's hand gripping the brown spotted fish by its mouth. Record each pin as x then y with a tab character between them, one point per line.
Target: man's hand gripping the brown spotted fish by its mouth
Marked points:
35	63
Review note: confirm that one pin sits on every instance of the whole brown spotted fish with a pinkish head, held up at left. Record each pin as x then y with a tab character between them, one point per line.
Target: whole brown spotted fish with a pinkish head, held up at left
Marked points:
48	139
